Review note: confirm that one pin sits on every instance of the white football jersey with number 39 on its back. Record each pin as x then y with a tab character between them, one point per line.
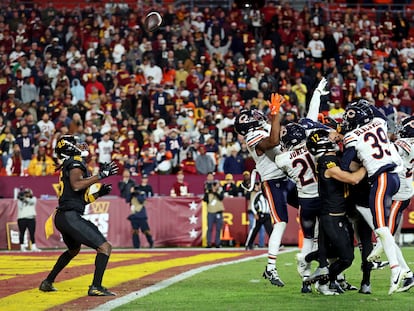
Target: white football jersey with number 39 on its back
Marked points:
372	145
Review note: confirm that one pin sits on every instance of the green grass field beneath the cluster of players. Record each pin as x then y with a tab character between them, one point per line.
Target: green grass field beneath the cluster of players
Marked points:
241	287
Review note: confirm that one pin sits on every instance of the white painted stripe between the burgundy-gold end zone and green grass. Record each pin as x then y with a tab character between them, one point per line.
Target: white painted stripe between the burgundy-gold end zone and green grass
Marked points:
110	305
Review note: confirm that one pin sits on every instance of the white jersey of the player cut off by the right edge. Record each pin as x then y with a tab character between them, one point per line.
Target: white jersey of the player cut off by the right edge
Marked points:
404	147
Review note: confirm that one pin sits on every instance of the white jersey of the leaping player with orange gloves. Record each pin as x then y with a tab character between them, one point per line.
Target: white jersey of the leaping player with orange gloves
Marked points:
265	164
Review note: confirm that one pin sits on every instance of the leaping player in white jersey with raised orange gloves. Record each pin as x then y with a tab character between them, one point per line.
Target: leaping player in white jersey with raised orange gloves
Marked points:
262	141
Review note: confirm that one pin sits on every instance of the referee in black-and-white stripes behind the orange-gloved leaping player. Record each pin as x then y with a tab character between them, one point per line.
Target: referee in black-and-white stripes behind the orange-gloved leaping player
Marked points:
261	212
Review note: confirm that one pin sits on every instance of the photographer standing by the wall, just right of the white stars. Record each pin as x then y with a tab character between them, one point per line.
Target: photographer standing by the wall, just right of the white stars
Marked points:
213	196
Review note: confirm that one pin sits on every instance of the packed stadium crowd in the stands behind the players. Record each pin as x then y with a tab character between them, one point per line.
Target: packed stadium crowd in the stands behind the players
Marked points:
154	102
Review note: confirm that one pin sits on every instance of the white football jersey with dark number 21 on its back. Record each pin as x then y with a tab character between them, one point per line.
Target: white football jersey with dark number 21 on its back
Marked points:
299	165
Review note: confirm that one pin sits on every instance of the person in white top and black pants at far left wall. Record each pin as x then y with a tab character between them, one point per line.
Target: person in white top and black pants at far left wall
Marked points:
26	217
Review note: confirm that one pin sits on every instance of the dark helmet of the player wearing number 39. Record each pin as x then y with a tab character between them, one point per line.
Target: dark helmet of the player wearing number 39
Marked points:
356	114
